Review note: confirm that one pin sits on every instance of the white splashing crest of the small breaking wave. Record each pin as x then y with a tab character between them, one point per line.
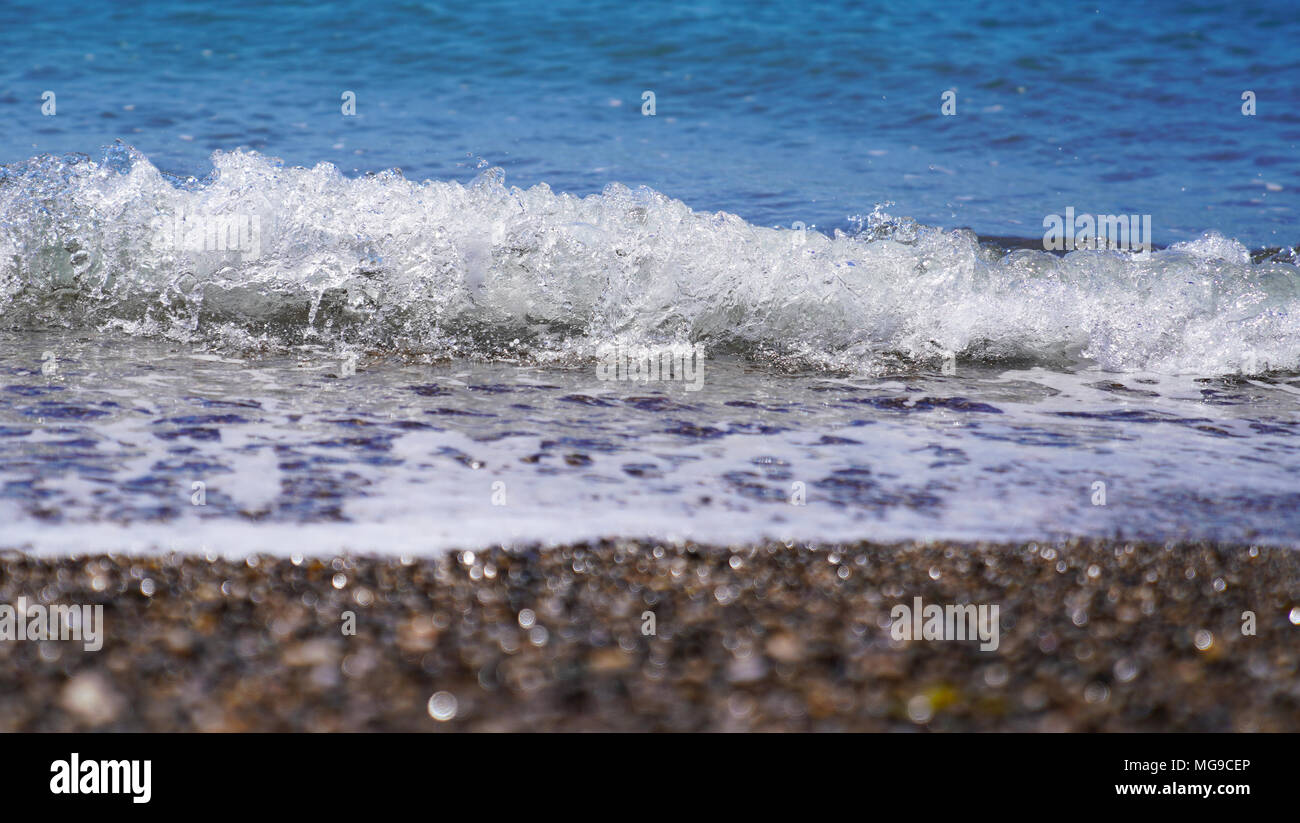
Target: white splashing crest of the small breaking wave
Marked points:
486	270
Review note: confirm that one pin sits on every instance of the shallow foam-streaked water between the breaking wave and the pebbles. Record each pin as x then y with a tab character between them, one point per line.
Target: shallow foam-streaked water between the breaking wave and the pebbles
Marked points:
298	456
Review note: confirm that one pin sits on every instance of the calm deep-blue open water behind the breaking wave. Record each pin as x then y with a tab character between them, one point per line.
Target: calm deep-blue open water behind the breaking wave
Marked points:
778	112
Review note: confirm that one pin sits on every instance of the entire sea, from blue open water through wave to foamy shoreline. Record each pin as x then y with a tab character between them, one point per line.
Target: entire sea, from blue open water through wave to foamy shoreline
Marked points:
235	319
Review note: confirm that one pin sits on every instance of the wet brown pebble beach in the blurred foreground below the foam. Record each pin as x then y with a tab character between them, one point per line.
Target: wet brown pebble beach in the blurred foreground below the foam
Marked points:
1095	636
